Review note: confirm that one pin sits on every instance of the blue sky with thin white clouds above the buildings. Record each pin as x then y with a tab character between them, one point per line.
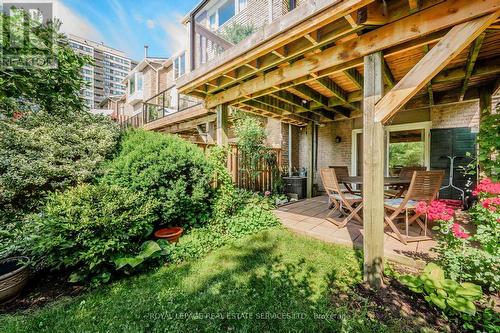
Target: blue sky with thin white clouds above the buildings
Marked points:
127	25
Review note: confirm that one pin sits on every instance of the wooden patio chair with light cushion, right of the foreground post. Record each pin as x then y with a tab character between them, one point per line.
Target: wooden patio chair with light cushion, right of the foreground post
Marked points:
424	186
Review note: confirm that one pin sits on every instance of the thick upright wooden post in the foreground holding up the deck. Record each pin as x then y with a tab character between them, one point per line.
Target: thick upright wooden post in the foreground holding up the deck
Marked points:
373	172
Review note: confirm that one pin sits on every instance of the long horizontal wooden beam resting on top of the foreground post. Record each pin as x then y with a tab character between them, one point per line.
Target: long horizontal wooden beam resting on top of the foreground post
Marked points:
433	19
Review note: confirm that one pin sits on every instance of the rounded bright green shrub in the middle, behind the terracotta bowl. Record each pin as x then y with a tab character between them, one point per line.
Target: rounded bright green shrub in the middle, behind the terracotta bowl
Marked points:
167	168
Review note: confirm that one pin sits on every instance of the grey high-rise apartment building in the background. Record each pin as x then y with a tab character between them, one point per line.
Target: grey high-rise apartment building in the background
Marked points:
106	74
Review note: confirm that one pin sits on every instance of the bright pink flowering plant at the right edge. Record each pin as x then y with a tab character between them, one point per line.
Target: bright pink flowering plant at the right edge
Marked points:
469	256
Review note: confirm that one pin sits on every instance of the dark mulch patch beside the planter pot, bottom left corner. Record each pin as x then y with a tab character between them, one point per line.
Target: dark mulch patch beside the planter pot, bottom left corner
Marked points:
42	289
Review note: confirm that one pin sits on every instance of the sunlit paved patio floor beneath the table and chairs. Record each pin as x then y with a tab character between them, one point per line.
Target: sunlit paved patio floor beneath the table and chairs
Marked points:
307	217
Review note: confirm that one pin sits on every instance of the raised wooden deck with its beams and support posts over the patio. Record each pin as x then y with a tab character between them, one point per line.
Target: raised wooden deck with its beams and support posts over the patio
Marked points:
327	62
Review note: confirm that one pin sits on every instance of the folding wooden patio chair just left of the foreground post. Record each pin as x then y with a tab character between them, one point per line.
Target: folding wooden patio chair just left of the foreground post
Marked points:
344	202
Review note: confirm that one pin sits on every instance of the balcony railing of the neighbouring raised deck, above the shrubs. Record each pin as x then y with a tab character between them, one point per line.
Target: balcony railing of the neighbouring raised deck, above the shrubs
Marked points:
161	105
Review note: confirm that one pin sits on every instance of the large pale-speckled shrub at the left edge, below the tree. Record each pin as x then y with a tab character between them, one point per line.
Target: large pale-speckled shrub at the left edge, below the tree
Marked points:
40	154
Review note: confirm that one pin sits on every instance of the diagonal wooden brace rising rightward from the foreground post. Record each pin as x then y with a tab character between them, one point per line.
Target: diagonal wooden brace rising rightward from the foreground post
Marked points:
432	63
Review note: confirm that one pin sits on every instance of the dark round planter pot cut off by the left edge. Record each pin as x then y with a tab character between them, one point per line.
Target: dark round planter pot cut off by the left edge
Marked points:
13	277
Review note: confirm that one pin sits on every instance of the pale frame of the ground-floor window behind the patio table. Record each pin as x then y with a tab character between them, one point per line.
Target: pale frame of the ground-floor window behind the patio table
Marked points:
425	125
